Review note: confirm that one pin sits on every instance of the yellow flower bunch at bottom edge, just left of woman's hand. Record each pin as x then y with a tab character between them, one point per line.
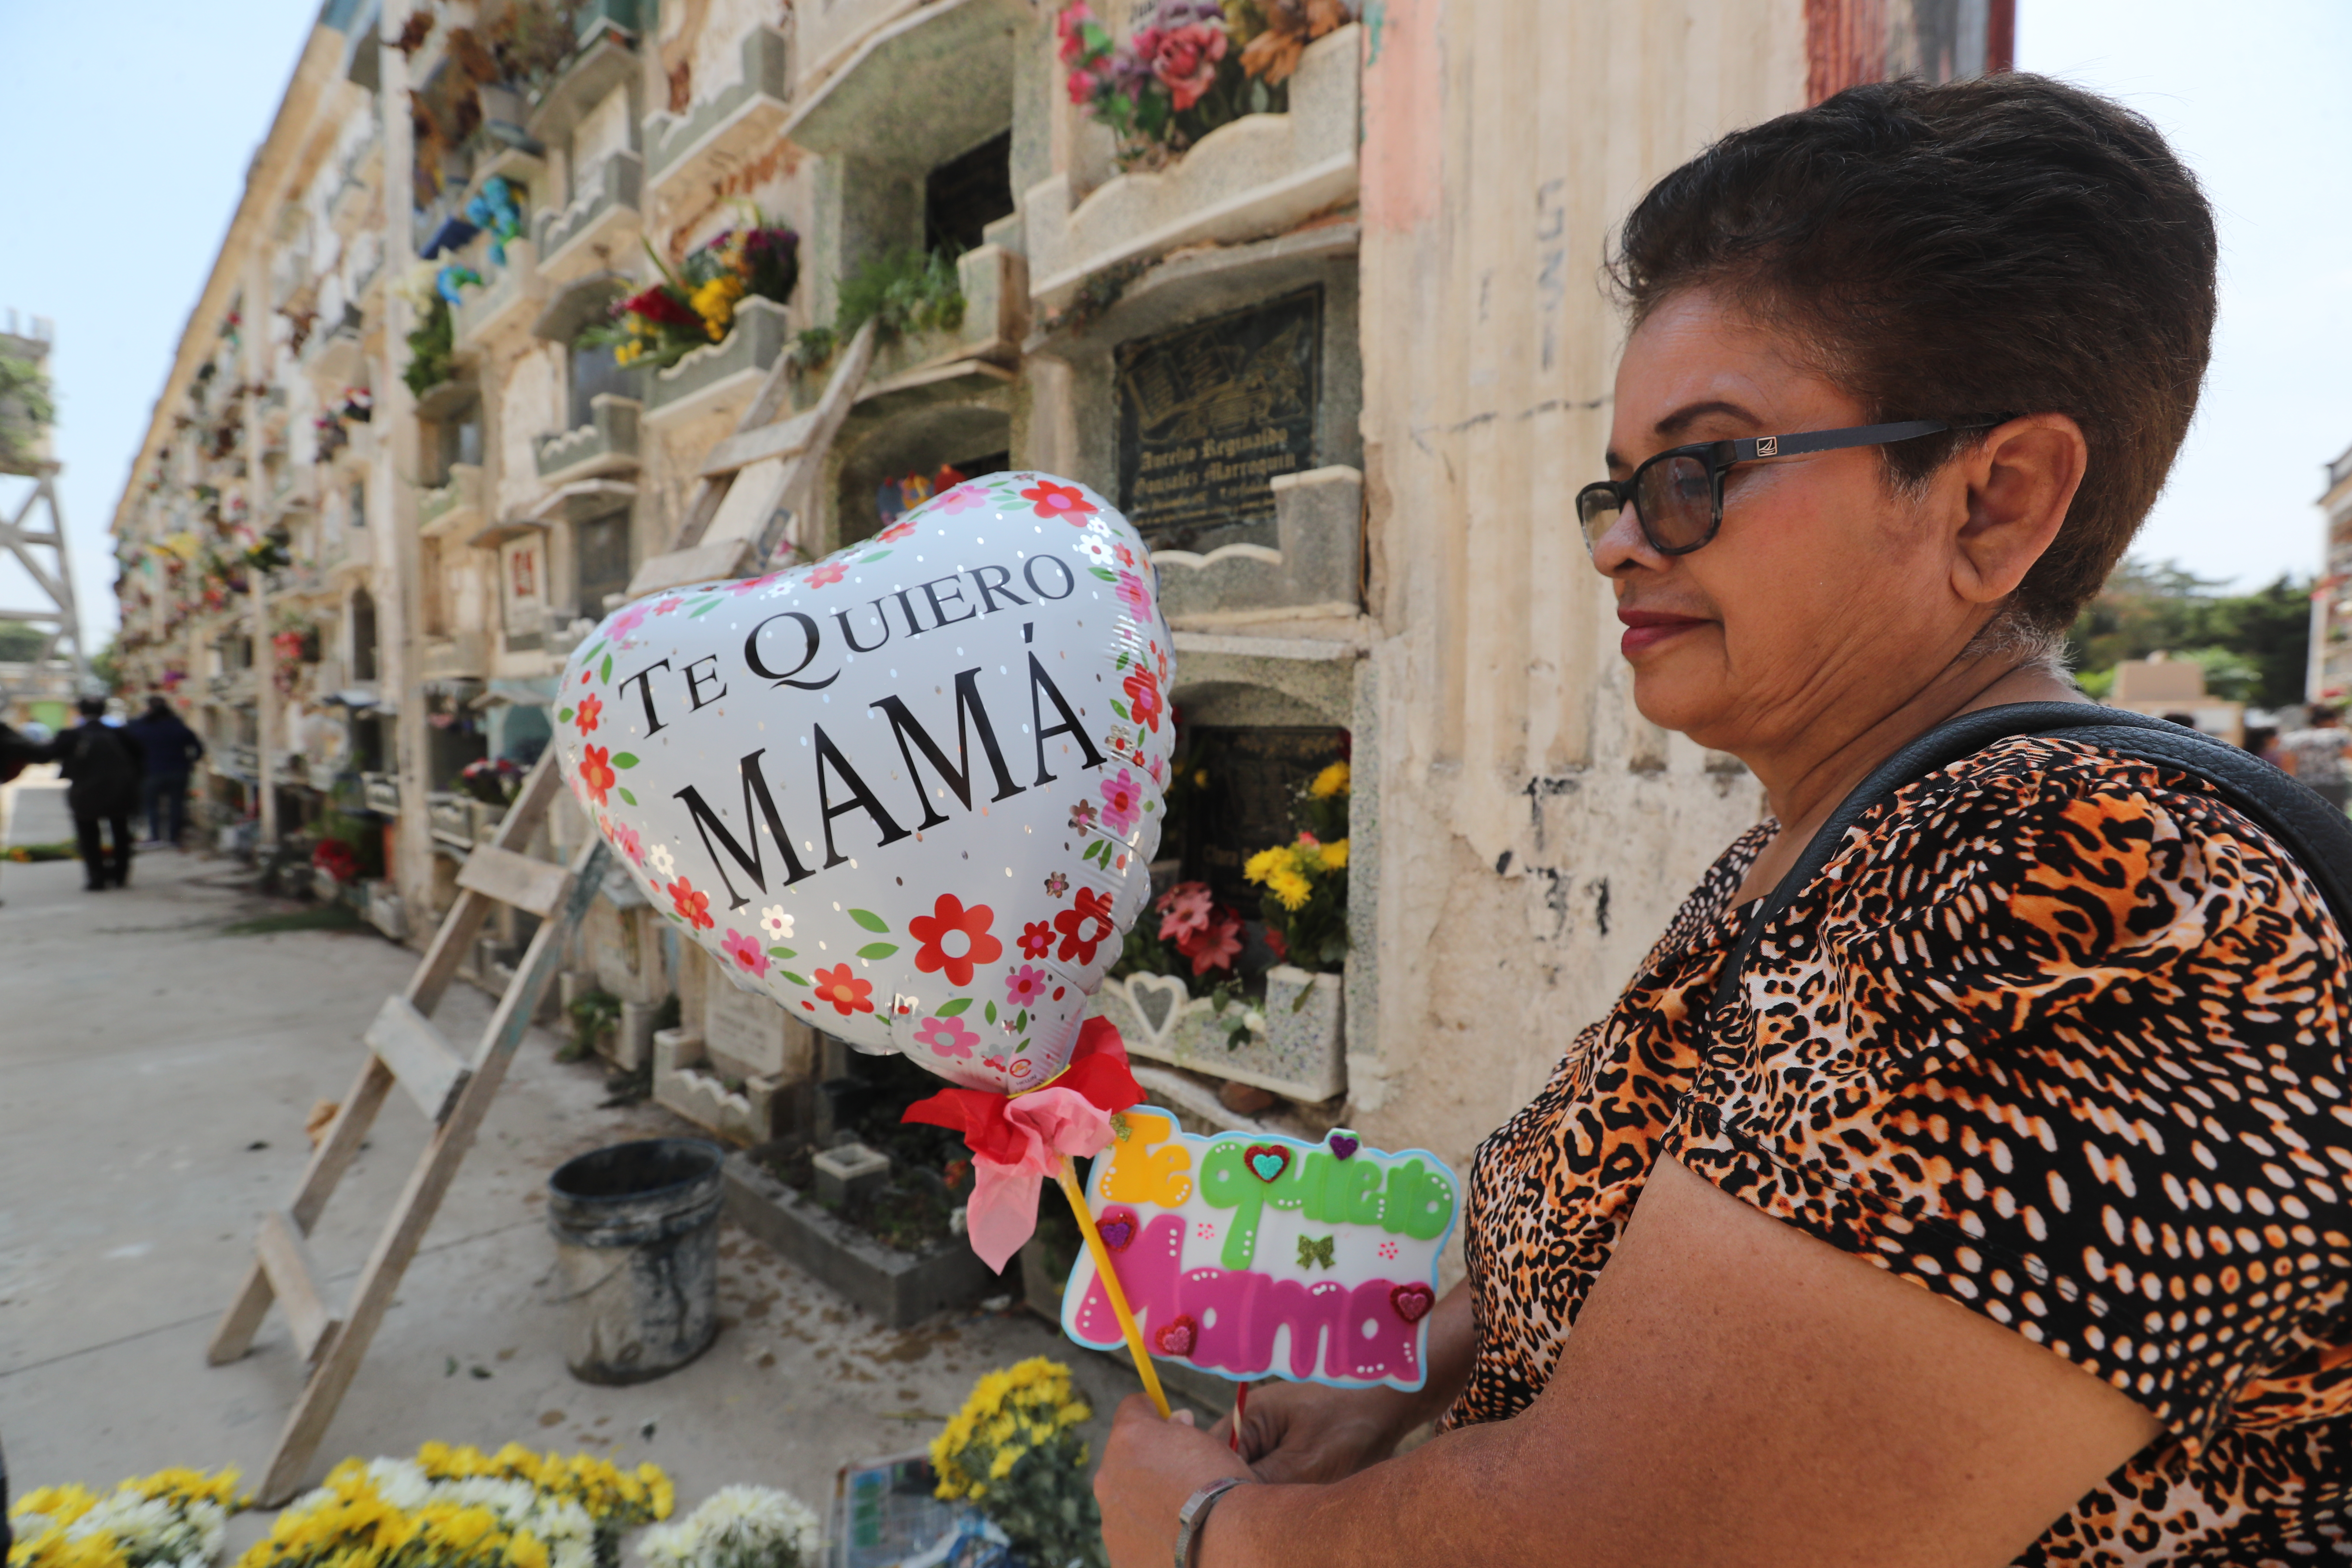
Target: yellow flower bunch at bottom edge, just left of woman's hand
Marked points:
1015	1452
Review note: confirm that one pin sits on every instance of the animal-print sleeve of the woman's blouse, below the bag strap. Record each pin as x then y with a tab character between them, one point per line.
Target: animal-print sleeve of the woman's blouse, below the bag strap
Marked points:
2062	1038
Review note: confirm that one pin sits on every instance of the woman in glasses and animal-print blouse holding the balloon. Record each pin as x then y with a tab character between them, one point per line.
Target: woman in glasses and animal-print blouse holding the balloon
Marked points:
1989	1202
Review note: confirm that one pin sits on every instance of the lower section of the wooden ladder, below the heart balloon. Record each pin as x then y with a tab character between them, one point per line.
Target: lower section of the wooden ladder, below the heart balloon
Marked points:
453	1092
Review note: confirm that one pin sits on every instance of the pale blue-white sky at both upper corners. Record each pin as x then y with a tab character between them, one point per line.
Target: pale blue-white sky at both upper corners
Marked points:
133	140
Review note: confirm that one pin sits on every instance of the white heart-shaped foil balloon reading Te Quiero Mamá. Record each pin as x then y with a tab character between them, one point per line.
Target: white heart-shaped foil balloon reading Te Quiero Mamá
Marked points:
909	791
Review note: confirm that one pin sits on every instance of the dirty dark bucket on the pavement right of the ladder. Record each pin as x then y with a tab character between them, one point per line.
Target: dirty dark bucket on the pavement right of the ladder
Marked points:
636	1238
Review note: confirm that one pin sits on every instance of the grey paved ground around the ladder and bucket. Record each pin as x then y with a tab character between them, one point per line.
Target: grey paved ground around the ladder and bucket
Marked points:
154	1087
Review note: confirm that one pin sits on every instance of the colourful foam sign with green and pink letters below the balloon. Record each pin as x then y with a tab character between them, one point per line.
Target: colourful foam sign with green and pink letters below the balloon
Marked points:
1259	1257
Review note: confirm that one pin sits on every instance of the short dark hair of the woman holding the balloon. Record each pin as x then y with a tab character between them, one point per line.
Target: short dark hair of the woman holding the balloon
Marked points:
1965	250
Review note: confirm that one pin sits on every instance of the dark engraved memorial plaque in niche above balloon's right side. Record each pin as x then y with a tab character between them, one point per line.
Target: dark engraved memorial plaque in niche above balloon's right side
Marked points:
1210	415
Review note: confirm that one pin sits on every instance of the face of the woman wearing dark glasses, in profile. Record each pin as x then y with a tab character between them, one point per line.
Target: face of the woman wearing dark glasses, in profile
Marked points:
1826	591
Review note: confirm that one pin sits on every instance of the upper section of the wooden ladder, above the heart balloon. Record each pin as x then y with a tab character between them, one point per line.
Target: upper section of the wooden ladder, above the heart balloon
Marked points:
756	481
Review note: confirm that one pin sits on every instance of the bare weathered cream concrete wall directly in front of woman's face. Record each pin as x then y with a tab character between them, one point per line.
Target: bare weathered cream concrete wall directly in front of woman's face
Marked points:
1535	831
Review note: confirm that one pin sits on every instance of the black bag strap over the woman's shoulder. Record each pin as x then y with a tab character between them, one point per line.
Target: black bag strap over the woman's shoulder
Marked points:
2316	833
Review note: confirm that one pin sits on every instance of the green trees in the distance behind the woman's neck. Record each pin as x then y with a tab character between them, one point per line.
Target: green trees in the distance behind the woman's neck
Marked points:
2252	645
